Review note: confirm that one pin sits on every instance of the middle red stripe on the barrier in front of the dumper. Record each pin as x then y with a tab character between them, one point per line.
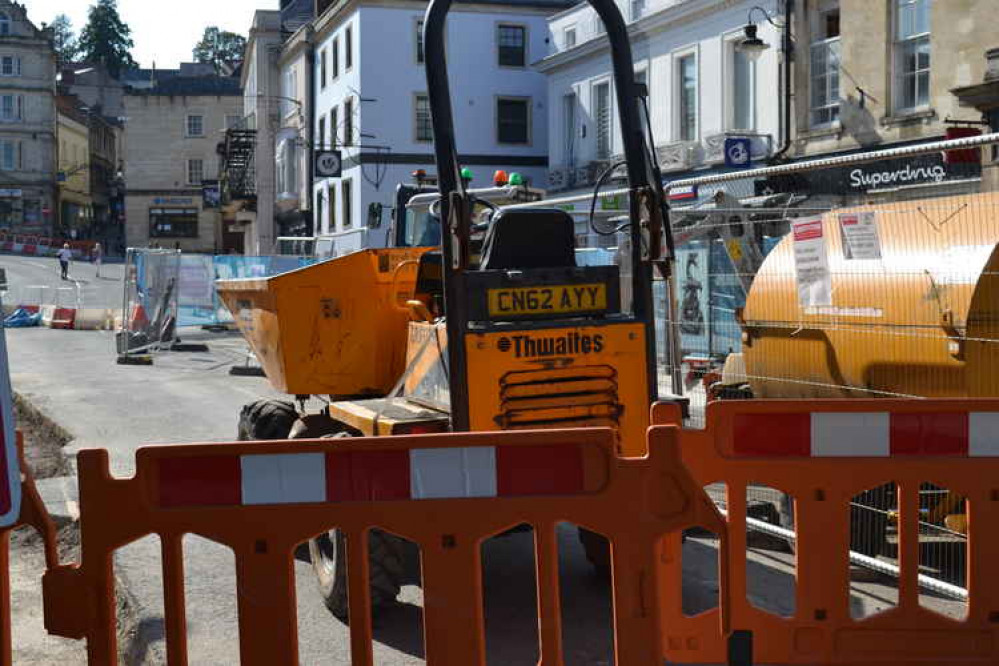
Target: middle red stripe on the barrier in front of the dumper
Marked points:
357	476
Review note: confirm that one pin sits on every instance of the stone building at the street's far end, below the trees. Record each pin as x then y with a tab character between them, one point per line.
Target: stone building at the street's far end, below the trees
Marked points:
171	154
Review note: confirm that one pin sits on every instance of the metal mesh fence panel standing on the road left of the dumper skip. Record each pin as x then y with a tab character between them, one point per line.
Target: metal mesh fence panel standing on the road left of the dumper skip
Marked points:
149	306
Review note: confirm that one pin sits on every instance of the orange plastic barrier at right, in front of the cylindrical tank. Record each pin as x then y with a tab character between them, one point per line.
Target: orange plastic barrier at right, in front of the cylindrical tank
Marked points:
824	453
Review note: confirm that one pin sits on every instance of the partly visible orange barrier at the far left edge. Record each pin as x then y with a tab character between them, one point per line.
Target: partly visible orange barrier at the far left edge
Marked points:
33	514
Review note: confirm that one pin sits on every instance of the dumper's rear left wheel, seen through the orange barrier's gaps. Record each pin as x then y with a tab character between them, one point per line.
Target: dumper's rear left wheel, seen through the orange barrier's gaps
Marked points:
386	567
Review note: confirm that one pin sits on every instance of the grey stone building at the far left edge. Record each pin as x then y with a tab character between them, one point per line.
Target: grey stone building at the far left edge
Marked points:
27	124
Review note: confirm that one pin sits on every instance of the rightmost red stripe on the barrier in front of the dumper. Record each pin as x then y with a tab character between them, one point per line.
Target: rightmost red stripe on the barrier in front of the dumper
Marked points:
539	470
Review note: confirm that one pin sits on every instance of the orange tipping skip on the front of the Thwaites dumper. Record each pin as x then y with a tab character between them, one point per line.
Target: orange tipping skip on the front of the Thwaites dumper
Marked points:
335	328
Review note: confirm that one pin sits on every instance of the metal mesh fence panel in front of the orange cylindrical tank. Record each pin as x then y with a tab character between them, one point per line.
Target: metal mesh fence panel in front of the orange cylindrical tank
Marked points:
859	277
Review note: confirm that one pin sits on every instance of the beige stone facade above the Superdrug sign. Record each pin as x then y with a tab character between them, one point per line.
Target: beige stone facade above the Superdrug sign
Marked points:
875	74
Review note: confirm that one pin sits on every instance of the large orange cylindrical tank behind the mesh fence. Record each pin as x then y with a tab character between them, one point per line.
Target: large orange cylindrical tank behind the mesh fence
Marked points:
920	321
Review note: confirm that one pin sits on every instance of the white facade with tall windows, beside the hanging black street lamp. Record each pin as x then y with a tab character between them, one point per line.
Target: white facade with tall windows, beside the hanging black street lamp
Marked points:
703	88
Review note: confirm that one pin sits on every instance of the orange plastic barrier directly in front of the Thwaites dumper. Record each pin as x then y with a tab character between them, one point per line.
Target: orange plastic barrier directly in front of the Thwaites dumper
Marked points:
445	492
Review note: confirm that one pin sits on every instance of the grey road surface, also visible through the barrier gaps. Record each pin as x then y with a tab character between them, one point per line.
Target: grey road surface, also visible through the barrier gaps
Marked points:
72	378
